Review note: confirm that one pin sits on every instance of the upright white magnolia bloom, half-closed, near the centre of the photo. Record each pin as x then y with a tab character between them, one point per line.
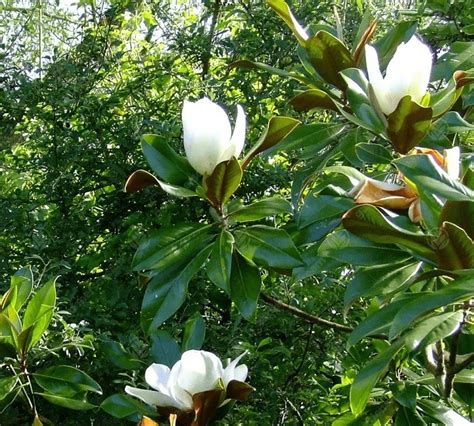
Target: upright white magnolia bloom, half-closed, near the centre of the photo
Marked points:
207	135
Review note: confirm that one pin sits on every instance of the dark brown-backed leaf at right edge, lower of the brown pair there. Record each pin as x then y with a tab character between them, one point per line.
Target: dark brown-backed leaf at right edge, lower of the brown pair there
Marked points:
455	249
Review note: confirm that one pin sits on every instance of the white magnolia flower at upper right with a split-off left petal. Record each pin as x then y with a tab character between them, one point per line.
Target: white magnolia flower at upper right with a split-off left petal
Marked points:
408	73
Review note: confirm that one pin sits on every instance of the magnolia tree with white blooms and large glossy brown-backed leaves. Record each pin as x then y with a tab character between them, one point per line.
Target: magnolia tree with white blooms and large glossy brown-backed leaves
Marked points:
383	192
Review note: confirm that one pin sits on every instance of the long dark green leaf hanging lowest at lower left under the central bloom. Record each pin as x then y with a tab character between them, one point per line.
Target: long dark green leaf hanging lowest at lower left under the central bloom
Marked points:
166	292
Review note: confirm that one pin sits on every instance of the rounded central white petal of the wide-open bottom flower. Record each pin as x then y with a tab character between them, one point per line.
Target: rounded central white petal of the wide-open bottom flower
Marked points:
200	371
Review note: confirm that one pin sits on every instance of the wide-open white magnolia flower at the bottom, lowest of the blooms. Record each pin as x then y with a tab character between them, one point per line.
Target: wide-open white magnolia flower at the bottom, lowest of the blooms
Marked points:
196	372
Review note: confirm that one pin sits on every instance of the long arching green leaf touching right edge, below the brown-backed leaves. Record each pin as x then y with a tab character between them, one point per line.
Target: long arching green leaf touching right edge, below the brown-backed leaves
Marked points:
456	291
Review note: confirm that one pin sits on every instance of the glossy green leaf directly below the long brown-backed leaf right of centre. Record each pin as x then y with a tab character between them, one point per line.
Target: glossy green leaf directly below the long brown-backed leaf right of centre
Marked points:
347	247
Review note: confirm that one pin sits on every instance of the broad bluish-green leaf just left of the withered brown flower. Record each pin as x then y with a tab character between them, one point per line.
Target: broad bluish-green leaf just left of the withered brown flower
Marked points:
320	207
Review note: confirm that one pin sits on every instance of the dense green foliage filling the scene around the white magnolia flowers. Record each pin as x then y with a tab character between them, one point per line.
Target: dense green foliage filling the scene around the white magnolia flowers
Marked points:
78	91
